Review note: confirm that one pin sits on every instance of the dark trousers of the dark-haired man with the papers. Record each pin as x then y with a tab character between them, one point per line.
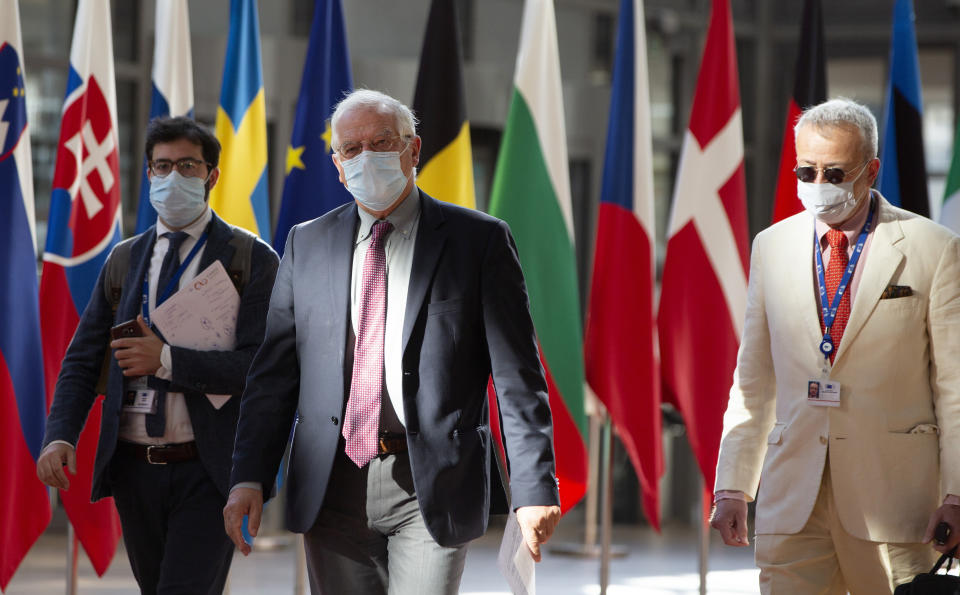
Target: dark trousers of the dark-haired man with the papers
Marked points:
172	519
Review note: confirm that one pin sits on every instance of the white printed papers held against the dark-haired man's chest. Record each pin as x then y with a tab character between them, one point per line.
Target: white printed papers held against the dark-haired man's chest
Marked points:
202	315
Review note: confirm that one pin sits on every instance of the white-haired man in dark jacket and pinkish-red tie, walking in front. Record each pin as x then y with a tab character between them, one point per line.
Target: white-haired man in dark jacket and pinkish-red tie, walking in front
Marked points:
387	318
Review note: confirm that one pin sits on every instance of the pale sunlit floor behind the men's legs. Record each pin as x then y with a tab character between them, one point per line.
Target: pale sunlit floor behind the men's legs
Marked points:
653	565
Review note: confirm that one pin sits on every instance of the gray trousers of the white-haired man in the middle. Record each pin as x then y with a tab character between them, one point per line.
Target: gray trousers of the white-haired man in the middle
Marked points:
370	538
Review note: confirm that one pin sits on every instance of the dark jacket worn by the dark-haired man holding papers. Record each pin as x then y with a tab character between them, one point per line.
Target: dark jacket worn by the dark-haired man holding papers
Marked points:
194	372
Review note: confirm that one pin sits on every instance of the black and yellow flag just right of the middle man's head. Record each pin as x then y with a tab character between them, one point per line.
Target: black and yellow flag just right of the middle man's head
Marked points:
446	170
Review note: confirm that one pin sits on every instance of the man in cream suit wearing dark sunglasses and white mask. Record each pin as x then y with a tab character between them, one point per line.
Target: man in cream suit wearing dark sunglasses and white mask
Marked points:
854	480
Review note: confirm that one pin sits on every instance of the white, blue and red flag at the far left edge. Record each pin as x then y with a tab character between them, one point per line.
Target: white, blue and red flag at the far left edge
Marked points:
24	505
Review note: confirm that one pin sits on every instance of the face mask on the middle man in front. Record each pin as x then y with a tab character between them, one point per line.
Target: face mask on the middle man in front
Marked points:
375	179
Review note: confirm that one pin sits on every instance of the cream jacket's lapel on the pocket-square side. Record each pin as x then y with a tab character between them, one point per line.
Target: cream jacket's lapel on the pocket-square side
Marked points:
881	264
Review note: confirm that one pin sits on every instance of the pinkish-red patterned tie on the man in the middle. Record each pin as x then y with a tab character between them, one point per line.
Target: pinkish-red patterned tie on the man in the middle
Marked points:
362	419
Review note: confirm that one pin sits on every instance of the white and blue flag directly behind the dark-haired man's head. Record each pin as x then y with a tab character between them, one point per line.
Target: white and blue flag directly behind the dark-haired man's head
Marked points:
172	83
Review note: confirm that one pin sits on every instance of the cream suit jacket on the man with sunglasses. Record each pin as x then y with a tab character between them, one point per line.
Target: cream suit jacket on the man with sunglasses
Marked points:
894	441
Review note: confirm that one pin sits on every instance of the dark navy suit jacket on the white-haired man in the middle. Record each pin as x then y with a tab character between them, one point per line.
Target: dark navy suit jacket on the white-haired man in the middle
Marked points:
467	315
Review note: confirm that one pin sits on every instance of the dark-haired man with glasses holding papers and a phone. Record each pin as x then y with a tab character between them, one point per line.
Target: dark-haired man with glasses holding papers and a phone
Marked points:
166	434
